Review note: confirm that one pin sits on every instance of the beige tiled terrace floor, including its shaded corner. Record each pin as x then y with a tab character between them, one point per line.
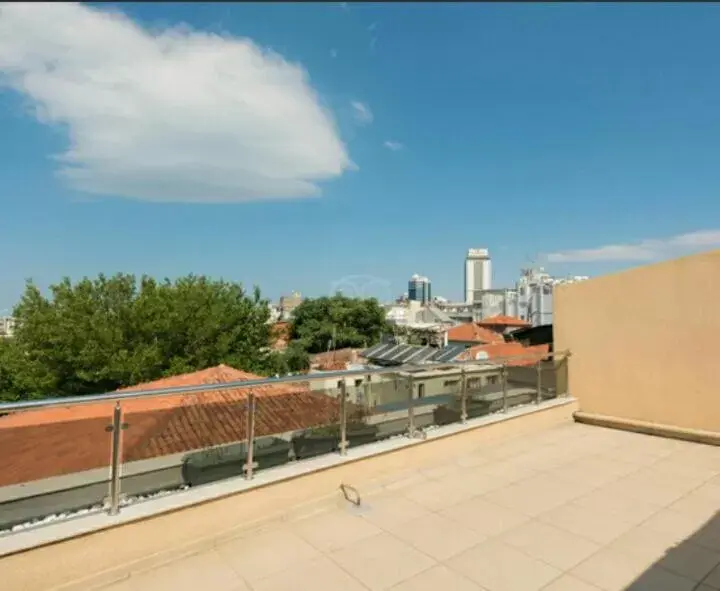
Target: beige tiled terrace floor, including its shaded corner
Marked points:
572	508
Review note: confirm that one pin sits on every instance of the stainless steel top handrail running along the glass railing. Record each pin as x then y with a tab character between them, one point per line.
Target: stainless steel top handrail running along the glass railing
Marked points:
254	384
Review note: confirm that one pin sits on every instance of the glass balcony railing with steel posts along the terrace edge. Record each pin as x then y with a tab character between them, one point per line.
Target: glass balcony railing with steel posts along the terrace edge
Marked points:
63	457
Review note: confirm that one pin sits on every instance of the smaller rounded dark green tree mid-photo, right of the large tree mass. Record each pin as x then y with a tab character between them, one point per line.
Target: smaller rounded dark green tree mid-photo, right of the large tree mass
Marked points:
339	322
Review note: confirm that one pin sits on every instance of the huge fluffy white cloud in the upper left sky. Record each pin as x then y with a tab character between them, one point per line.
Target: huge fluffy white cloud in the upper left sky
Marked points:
171	115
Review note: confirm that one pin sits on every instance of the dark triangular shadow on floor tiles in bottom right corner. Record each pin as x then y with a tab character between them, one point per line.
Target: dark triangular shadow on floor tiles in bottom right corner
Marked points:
691	565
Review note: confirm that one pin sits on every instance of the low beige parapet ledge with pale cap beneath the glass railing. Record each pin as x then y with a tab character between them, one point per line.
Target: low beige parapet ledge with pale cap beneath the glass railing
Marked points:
64	556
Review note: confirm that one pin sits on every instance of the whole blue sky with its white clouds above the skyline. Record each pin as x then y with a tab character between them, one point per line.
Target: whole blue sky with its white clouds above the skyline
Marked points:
373	142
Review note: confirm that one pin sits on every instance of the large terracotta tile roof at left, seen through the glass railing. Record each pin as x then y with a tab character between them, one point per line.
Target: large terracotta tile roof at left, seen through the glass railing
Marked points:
52	442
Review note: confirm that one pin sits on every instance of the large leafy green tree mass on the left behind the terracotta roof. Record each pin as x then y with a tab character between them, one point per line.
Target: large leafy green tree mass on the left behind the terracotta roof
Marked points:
102	334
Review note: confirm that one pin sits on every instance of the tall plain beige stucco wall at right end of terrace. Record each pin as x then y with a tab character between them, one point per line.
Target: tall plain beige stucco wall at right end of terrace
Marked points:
644	342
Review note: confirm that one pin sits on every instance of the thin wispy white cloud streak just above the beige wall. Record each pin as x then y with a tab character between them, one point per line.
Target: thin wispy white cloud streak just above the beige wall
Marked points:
645	250
